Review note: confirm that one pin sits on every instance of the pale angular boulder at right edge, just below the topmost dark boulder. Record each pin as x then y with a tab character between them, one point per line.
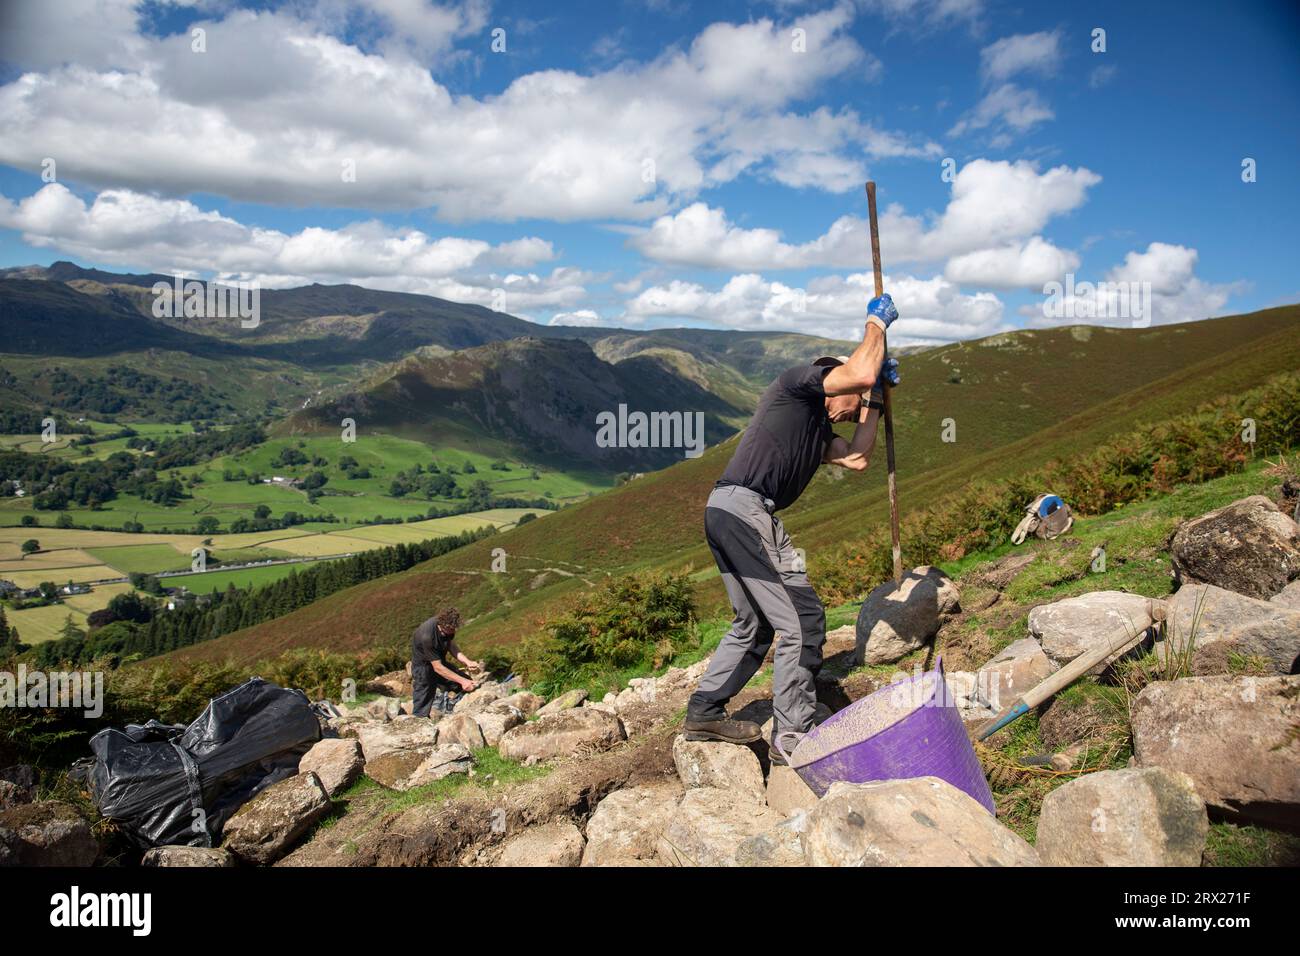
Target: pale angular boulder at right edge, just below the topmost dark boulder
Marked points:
1207	616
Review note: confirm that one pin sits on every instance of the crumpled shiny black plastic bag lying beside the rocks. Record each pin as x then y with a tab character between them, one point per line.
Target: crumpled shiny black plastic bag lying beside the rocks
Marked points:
170	785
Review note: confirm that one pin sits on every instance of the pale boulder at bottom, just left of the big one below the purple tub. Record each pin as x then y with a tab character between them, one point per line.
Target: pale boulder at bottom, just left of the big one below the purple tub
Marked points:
709	828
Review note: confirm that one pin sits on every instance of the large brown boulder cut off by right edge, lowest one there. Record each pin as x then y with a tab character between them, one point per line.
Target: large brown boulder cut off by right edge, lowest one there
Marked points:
1234	737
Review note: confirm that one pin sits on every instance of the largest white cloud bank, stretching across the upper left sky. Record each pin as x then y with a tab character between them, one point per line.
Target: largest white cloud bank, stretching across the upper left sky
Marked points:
276	107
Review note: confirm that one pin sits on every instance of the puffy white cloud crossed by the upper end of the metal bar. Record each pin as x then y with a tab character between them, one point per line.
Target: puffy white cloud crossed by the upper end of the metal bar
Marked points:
990	227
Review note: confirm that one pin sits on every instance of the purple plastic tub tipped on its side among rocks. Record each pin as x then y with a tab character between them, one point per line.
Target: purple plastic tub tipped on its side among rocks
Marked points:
909	729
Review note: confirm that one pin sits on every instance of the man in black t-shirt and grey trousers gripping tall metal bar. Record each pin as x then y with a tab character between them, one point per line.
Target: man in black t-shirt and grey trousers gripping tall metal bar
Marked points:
786	442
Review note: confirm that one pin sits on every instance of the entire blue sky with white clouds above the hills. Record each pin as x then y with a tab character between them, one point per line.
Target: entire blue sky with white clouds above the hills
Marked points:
648	165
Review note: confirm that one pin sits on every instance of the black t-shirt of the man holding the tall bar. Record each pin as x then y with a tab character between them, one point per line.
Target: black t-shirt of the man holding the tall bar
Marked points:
786	440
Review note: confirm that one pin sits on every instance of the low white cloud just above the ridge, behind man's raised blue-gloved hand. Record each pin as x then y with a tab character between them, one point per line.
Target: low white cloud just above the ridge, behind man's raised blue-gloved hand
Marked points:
933	310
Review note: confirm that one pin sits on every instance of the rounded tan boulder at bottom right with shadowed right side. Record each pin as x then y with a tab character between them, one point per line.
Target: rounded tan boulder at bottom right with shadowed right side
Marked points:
1137	817
